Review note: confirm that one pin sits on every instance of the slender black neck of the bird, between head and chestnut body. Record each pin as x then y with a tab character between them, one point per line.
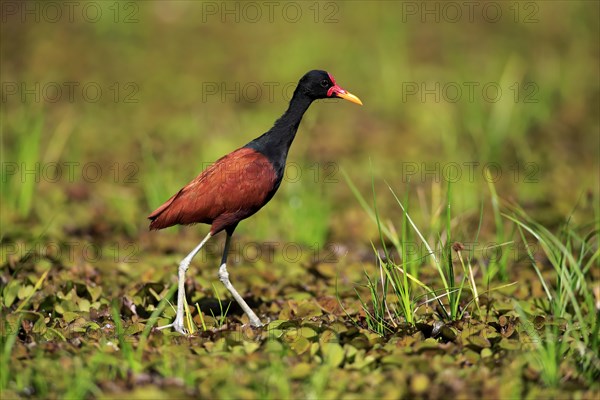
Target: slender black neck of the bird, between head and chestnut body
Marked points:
276	142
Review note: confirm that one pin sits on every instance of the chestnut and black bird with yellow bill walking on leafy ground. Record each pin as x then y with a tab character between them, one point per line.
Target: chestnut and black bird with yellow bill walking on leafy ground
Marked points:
239	184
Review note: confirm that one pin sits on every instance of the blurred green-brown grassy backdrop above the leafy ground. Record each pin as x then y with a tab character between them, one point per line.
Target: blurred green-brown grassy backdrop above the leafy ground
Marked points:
184	82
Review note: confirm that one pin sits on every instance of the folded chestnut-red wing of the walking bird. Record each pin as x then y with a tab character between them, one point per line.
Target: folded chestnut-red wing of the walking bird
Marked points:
234	187
